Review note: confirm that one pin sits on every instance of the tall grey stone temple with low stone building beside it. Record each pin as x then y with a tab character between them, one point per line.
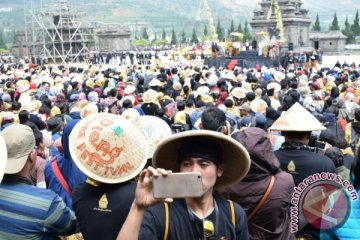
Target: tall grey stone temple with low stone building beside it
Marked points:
295	27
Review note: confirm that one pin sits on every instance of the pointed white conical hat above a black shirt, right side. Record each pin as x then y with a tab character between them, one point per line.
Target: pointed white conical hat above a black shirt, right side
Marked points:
297	119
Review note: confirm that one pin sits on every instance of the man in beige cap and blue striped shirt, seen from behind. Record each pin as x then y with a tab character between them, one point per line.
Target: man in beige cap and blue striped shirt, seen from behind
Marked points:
28	212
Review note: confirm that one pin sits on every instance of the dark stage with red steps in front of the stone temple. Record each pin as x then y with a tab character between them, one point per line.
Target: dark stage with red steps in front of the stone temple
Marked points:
246	59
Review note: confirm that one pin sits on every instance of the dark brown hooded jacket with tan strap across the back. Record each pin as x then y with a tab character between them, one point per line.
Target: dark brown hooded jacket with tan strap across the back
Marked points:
272	220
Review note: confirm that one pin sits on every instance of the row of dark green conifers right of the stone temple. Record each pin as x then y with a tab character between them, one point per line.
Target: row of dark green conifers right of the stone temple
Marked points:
350	30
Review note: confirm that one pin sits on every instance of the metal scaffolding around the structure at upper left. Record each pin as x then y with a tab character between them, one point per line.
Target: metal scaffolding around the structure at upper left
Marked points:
54	32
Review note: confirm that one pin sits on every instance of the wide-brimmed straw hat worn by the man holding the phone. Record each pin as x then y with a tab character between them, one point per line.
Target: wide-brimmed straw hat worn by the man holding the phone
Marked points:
235	157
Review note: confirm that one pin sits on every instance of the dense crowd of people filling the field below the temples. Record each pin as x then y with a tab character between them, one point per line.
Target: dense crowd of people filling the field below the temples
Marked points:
81	144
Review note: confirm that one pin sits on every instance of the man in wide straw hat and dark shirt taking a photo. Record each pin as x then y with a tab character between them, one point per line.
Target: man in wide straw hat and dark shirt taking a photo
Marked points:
221	161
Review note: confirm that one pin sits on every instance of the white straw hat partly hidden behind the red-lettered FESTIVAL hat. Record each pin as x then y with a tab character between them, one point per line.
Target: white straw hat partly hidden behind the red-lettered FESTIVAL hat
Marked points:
155	131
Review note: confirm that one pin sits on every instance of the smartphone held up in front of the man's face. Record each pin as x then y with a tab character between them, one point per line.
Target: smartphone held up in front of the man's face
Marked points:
178	185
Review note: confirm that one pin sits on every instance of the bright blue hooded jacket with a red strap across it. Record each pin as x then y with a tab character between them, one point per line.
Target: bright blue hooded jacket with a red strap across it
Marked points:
68	169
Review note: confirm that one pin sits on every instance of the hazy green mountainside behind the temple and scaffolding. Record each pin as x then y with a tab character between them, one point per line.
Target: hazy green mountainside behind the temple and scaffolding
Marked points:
168	14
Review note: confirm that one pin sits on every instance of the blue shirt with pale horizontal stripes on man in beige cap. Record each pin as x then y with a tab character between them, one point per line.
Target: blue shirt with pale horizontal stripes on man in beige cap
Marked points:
28	212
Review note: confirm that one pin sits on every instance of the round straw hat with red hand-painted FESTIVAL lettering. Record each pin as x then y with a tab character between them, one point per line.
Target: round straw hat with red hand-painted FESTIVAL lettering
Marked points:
108	148
